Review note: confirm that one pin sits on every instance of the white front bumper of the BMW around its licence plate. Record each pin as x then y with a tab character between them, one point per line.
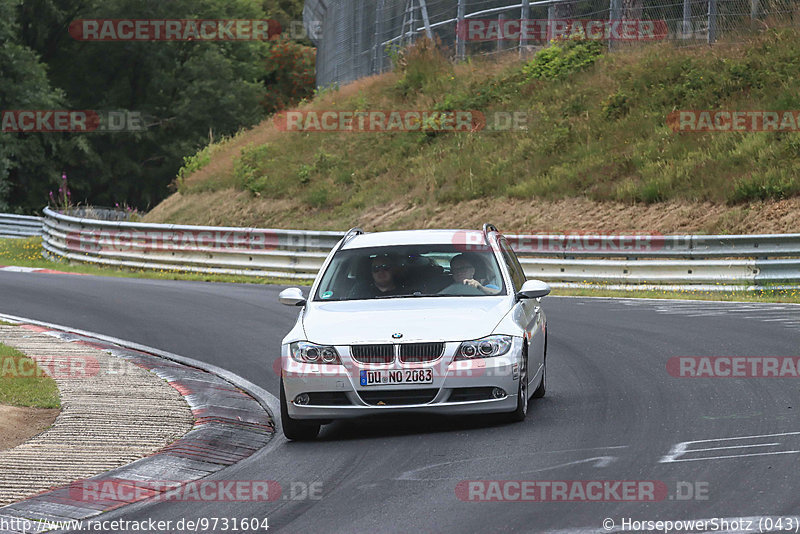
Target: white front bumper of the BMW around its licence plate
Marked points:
464	387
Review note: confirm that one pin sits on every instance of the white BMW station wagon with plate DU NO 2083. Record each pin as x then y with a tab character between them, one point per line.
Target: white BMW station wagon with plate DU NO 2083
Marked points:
415	321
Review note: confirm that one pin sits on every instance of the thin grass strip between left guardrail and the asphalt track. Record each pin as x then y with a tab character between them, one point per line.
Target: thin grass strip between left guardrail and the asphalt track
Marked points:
28	253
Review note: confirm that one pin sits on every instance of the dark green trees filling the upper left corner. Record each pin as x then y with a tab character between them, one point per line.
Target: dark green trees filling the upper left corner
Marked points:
187	92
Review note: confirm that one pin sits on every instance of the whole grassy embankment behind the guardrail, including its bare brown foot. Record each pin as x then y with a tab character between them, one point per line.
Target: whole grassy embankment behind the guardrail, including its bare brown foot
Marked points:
598	155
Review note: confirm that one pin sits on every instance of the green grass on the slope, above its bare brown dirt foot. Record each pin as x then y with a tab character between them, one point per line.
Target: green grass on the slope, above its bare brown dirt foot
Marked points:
598	129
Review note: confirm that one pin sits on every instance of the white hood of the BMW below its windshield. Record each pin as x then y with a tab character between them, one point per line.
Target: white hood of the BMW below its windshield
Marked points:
417	319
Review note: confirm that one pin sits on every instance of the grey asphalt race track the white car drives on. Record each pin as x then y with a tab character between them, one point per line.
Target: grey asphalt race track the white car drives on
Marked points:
612	412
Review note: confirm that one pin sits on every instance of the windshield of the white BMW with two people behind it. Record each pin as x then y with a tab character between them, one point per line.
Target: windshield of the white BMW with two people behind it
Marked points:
411	271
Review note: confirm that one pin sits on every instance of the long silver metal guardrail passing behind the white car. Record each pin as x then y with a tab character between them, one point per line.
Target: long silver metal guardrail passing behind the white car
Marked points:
701	262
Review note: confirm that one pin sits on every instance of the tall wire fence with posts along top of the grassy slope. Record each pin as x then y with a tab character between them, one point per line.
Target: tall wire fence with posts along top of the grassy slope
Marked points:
356	38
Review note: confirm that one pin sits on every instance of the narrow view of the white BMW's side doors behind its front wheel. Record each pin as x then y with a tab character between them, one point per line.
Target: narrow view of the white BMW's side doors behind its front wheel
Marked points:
527	313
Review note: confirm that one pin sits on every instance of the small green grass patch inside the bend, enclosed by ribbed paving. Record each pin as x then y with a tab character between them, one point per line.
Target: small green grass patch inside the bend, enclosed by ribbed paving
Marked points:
16	389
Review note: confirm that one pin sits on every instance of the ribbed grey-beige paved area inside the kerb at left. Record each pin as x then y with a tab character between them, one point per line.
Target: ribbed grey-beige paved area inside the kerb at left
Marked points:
113	412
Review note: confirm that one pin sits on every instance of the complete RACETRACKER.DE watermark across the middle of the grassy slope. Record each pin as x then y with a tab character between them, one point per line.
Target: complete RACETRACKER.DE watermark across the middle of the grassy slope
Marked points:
387	121
